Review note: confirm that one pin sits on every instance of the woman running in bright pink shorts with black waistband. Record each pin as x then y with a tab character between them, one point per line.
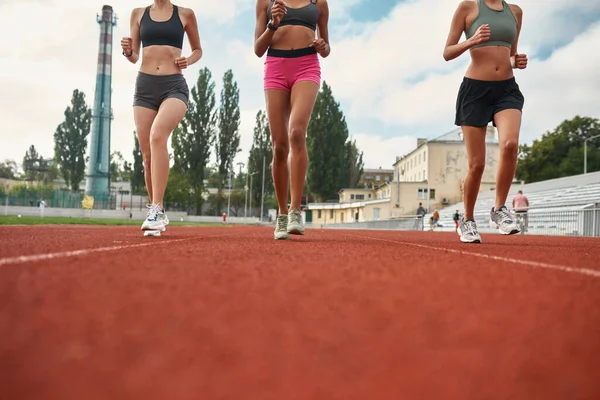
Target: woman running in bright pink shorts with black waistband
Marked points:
291	83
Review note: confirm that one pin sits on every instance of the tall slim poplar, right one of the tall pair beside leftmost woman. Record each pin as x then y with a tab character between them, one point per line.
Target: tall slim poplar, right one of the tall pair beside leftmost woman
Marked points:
228	140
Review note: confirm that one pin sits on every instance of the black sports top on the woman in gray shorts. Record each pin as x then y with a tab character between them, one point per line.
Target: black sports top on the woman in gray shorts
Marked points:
166	33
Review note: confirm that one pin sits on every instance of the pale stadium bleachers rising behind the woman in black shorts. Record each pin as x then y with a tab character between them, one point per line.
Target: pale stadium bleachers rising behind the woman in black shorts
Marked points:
555	206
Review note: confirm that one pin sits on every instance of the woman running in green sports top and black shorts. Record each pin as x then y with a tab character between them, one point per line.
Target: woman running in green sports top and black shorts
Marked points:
488	93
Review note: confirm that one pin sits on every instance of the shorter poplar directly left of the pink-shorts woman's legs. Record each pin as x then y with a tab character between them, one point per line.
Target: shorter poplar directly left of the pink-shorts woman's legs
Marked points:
261	147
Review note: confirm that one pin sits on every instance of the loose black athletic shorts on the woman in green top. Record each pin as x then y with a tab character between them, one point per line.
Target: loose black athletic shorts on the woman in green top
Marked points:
478	101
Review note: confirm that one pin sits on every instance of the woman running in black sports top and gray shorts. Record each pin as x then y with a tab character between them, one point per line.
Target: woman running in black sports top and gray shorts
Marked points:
161	92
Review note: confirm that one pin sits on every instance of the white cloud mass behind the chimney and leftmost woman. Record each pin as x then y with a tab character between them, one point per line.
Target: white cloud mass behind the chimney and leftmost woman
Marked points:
41	67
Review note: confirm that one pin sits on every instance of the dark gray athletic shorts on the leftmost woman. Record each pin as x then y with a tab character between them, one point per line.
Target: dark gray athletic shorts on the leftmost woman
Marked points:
152	90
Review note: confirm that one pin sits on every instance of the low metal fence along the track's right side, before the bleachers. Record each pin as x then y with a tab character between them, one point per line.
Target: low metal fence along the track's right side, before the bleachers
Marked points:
583	222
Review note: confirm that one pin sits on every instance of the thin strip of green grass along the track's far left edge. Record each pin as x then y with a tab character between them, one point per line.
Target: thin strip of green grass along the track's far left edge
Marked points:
13	220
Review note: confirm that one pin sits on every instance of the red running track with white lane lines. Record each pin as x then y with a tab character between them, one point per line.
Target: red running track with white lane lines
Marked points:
229	313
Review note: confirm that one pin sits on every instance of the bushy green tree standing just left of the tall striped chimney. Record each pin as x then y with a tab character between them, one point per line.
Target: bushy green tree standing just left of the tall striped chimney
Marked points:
70	140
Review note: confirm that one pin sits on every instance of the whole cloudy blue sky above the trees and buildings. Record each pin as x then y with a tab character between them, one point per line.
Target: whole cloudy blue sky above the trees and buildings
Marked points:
386	68
